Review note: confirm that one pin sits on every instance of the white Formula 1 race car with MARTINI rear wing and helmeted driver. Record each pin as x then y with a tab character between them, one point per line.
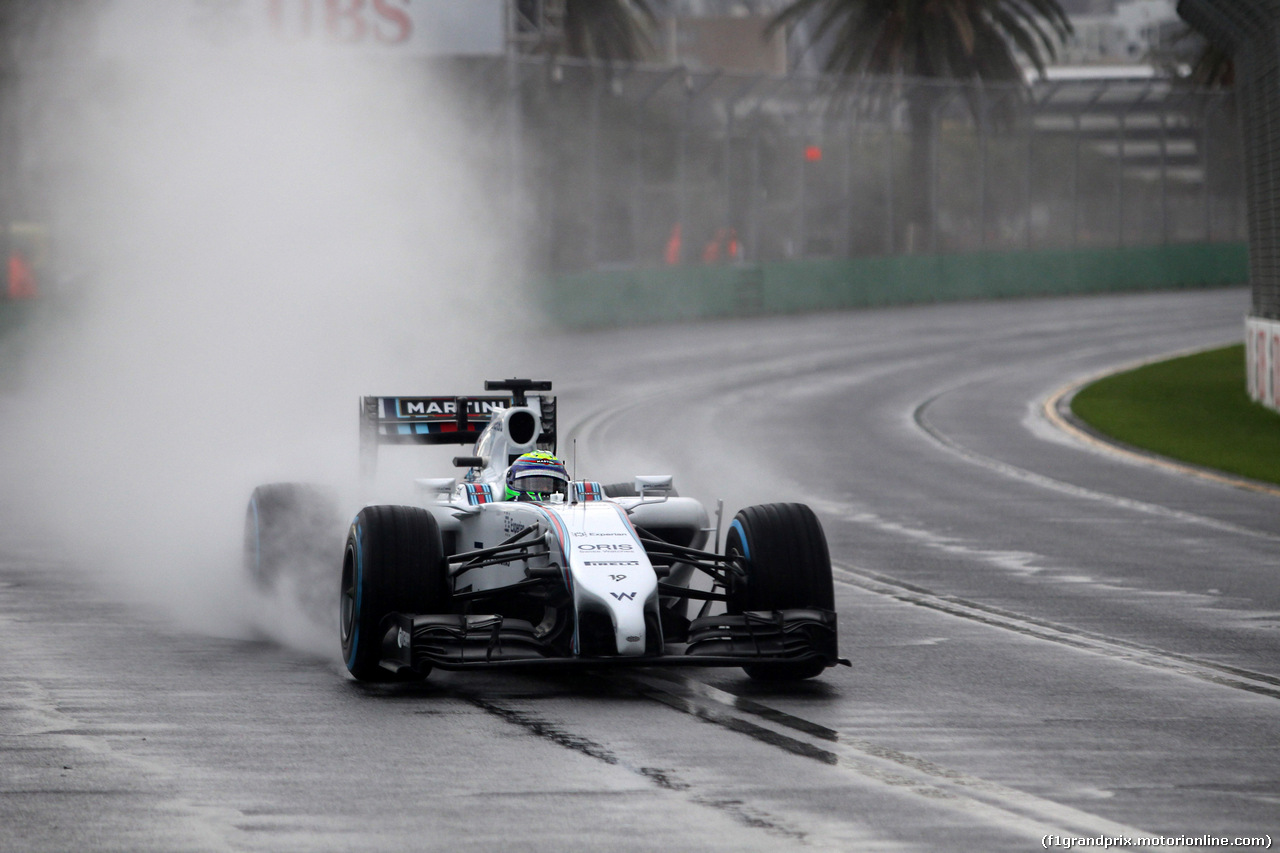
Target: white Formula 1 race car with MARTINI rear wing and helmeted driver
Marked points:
588	576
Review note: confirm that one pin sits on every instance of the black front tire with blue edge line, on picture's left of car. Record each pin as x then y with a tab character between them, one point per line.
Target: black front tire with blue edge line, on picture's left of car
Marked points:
394	563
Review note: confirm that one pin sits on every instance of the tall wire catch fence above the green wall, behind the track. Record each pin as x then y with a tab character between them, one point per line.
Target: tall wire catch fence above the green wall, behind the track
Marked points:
638	167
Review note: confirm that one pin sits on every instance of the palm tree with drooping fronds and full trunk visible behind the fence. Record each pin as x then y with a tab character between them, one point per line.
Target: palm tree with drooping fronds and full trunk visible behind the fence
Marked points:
967	40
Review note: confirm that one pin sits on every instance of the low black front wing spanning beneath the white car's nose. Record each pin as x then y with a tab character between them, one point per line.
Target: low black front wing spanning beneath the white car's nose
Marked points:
458	642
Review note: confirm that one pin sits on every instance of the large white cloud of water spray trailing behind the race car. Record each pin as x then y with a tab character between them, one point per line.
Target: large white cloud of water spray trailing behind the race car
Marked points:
259	238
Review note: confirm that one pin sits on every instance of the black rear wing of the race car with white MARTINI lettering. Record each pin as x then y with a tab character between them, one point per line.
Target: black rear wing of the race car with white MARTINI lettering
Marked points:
449	421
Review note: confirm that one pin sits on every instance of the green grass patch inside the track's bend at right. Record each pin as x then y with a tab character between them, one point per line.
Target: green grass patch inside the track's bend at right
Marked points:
1195	409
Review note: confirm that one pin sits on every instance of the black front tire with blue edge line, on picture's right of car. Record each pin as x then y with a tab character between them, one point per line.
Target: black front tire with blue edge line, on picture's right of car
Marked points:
784	553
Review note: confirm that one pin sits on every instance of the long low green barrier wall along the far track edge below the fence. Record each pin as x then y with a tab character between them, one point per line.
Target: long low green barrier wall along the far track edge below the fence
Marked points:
661	295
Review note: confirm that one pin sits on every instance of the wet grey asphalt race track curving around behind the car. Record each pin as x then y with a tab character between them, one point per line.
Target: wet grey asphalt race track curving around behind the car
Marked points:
1045	641
